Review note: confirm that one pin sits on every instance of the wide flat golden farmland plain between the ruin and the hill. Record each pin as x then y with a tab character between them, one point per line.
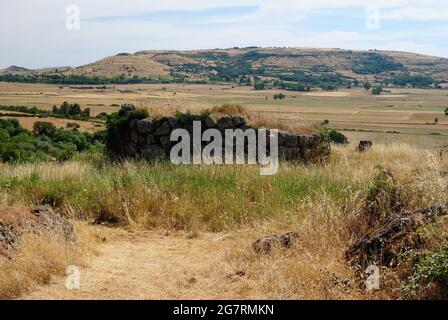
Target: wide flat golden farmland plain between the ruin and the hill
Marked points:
398	115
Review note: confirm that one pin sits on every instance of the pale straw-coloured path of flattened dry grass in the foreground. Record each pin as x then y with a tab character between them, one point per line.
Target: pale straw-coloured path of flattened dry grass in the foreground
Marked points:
144	265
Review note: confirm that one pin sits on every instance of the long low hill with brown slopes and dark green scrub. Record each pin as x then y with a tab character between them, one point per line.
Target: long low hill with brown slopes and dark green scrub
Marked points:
308	66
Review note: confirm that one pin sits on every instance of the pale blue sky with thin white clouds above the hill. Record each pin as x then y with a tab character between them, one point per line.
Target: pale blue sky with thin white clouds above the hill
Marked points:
44	33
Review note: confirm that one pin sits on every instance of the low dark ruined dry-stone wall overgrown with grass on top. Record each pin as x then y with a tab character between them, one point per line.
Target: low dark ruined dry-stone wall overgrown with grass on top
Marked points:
150	138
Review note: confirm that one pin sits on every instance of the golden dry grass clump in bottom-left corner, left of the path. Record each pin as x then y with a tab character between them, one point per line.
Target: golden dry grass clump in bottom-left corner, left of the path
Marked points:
40	257
